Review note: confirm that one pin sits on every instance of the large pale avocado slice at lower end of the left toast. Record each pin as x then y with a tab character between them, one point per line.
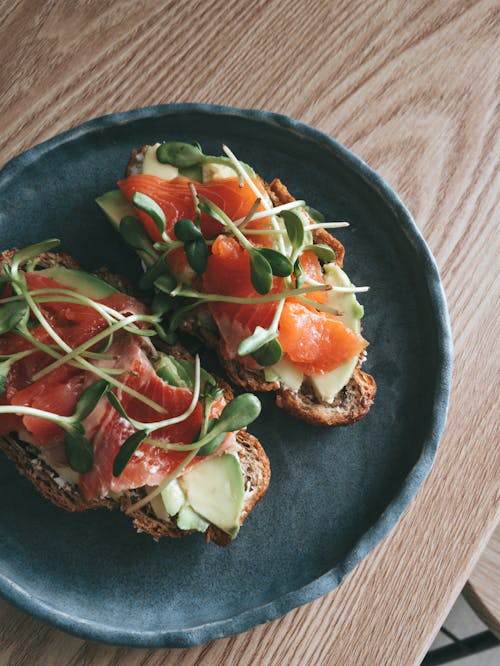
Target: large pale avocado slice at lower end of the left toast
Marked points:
214	489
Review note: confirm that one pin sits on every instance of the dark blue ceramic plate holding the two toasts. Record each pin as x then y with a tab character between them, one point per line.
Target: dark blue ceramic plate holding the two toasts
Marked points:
335	492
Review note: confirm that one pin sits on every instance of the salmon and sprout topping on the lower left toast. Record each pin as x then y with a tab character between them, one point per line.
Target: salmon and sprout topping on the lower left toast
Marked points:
79	375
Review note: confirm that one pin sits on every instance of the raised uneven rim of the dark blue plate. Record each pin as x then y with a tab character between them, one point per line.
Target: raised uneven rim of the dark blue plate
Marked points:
387	521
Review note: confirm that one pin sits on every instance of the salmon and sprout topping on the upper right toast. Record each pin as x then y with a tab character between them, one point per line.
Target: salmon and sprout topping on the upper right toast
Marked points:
240	247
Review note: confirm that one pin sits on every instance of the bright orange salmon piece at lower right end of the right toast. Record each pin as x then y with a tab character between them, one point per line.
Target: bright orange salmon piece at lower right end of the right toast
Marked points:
317	342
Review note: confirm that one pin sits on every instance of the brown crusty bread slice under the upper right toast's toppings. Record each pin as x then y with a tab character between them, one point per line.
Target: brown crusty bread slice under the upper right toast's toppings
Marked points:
351	403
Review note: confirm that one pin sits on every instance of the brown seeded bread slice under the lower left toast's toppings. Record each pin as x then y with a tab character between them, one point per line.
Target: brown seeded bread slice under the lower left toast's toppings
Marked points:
31	463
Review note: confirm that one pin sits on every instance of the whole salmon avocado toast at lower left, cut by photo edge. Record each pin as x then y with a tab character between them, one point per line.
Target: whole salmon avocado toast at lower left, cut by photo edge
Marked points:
96	415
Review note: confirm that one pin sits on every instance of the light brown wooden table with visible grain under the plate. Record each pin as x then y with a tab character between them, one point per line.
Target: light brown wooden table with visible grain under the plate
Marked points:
410	87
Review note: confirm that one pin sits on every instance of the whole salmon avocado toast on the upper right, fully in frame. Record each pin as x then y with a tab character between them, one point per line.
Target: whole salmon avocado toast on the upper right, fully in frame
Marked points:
252	272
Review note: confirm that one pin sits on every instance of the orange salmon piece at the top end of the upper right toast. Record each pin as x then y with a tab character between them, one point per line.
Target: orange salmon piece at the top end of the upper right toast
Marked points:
176	201
